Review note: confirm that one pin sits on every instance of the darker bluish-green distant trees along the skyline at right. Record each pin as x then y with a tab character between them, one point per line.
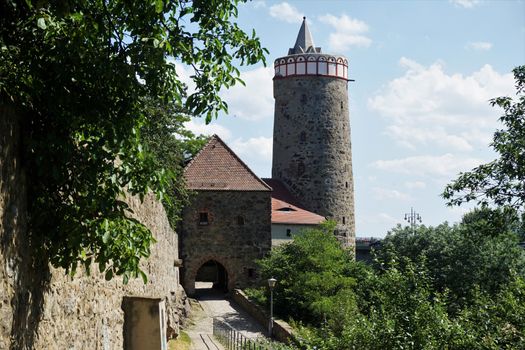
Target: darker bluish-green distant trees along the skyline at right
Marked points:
479	254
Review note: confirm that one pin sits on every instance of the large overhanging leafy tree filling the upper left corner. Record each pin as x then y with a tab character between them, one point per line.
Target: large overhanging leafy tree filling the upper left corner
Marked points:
83	76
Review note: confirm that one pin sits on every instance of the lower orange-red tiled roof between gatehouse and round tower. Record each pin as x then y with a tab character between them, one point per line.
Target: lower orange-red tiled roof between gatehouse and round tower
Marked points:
286	209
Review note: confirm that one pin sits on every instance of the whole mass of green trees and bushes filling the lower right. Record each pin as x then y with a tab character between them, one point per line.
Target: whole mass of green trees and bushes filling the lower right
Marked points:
459	287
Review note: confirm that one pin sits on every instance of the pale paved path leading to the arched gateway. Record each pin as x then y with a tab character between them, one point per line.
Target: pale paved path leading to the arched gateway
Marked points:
209	304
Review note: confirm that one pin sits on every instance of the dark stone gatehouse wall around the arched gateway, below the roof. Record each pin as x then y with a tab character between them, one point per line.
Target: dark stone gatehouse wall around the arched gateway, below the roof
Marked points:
233	245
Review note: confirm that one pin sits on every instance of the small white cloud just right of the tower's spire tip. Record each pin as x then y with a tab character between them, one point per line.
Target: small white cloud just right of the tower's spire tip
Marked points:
348	32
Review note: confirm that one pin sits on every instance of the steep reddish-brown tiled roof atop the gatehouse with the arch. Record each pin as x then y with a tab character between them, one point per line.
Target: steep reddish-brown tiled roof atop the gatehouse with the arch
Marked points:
217	168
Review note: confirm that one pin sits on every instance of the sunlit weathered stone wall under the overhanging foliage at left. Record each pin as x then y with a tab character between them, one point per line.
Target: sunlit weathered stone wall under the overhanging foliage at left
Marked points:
42	308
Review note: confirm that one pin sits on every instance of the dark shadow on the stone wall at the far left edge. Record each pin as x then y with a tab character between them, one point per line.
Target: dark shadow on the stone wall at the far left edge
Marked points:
25	271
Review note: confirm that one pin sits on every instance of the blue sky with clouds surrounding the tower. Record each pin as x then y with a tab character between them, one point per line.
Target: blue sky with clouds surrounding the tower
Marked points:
424	72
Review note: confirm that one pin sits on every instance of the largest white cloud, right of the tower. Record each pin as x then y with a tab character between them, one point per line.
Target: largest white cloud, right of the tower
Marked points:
428	107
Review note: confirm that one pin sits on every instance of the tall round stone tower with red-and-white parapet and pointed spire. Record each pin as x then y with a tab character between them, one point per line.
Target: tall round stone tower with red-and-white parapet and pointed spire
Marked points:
311	135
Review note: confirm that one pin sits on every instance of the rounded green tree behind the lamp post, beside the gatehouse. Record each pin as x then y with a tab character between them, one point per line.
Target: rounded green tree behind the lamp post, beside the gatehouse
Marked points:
313	274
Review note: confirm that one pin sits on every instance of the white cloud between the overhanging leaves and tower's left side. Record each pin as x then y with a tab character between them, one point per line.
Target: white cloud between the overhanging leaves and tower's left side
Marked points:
255	100
